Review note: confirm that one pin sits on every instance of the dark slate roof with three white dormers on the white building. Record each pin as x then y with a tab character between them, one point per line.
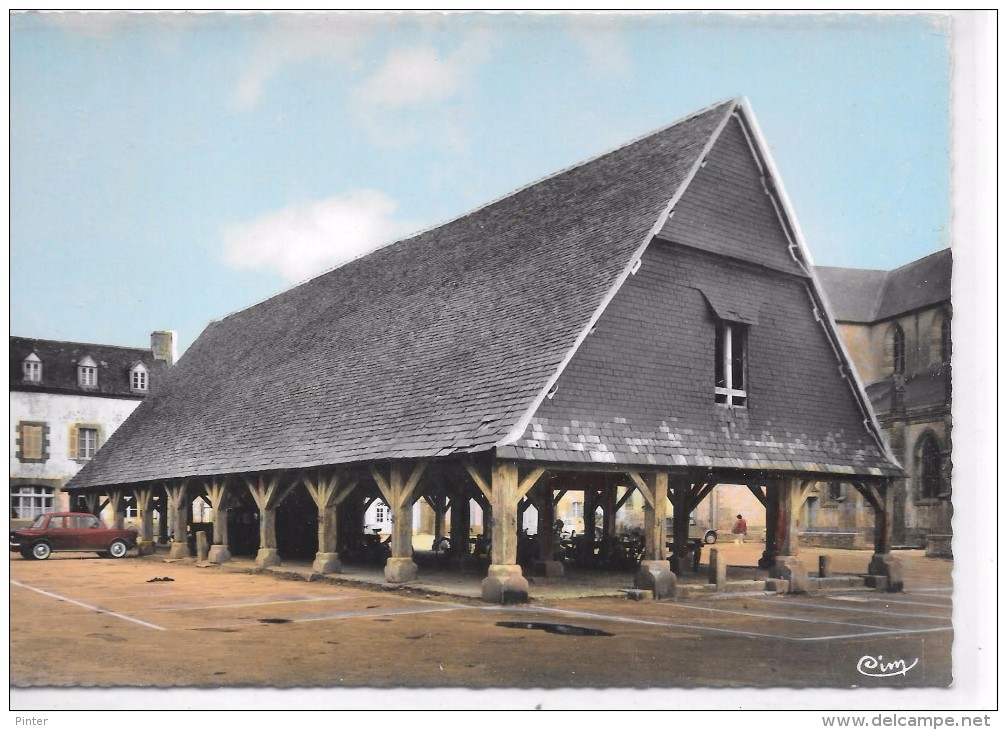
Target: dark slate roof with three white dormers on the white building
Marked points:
60	363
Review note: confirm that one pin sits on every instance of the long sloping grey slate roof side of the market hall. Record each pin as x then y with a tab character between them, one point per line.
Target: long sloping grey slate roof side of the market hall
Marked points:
439	345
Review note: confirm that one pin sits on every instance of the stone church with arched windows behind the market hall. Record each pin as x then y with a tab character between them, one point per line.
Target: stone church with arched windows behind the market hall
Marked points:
898	328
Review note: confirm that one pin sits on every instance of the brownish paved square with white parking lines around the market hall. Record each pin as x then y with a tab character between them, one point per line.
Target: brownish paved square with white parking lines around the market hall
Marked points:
109	624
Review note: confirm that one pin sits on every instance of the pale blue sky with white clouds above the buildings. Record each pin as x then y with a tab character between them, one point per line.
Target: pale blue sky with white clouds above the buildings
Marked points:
169	170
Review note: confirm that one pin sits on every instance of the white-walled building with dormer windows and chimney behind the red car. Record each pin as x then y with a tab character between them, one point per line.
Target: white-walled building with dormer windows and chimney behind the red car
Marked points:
66	400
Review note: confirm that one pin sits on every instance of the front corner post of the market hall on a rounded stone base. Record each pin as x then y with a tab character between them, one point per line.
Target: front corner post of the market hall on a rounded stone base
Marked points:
505	582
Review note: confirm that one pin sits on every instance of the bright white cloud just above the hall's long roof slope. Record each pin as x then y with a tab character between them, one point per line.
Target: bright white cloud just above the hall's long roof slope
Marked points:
305	240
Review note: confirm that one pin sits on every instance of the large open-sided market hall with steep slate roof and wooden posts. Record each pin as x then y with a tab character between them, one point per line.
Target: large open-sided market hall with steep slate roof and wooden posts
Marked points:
645	323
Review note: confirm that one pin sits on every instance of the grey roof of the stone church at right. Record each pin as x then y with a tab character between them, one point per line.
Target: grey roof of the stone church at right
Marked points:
868	296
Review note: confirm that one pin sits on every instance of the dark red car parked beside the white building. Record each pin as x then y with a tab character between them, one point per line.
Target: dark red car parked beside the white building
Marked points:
79	532
